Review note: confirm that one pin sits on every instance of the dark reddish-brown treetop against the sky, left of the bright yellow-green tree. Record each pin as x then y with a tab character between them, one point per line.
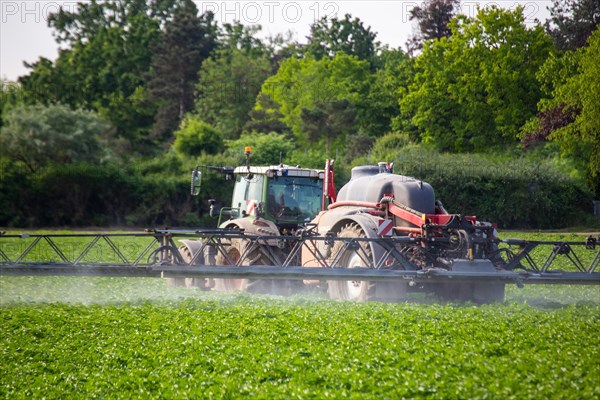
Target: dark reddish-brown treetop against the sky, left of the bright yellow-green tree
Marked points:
433	19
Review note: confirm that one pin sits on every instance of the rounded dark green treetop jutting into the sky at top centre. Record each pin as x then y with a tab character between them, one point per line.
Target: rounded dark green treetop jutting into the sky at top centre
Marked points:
329	37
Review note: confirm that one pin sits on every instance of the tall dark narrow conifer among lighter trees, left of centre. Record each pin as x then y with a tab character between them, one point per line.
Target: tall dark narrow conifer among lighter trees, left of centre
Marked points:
186	41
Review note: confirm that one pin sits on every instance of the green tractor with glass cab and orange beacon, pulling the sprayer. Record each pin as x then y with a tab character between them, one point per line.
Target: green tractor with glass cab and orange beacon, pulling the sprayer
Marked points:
267	201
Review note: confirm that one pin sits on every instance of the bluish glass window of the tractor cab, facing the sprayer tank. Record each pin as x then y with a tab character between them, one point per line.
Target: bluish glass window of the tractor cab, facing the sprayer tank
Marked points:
294	199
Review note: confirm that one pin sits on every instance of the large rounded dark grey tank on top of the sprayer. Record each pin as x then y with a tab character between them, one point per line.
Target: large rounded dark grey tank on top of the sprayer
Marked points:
370	183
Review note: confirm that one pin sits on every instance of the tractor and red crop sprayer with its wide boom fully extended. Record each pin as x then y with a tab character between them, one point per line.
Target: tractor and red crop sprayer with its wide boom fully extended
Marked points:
381	237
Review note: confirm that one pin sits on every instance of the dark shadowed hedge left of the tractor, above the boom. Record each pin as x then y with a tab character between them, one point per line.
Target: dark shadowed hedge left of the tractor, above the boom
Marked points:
96	195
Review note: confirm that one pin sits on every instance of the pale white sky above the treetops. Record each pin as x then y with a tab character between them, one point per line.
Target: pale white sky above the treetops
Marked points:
25	36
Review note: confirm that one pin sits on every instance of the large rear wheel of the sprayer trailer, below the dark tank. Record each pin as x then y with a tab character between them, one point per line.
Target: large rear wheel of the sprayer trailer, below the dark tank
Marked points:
356	258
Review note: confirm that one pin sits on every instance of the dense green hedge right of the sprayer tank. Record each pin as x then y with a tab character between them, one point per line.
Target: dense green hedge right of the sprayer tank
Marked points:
515	193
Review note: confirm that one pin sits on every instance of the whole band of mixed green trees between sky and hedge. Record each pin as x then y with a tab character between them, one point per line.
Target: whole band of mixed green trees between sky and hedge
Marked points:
156	82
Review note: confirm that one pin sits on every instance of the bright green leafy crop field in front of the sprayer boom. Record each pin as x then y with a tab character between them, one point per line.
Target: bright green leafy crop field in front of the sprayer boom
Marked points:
128	338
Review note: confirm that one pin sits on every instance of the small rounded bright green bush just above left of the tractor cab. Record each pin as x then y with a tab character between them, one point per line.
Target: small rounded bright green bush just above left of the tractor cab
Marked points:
196	137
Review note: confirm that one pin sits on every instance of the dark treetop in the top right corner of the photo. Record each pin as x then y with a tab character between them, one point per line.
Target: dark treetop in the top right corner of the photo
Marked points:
572	22
